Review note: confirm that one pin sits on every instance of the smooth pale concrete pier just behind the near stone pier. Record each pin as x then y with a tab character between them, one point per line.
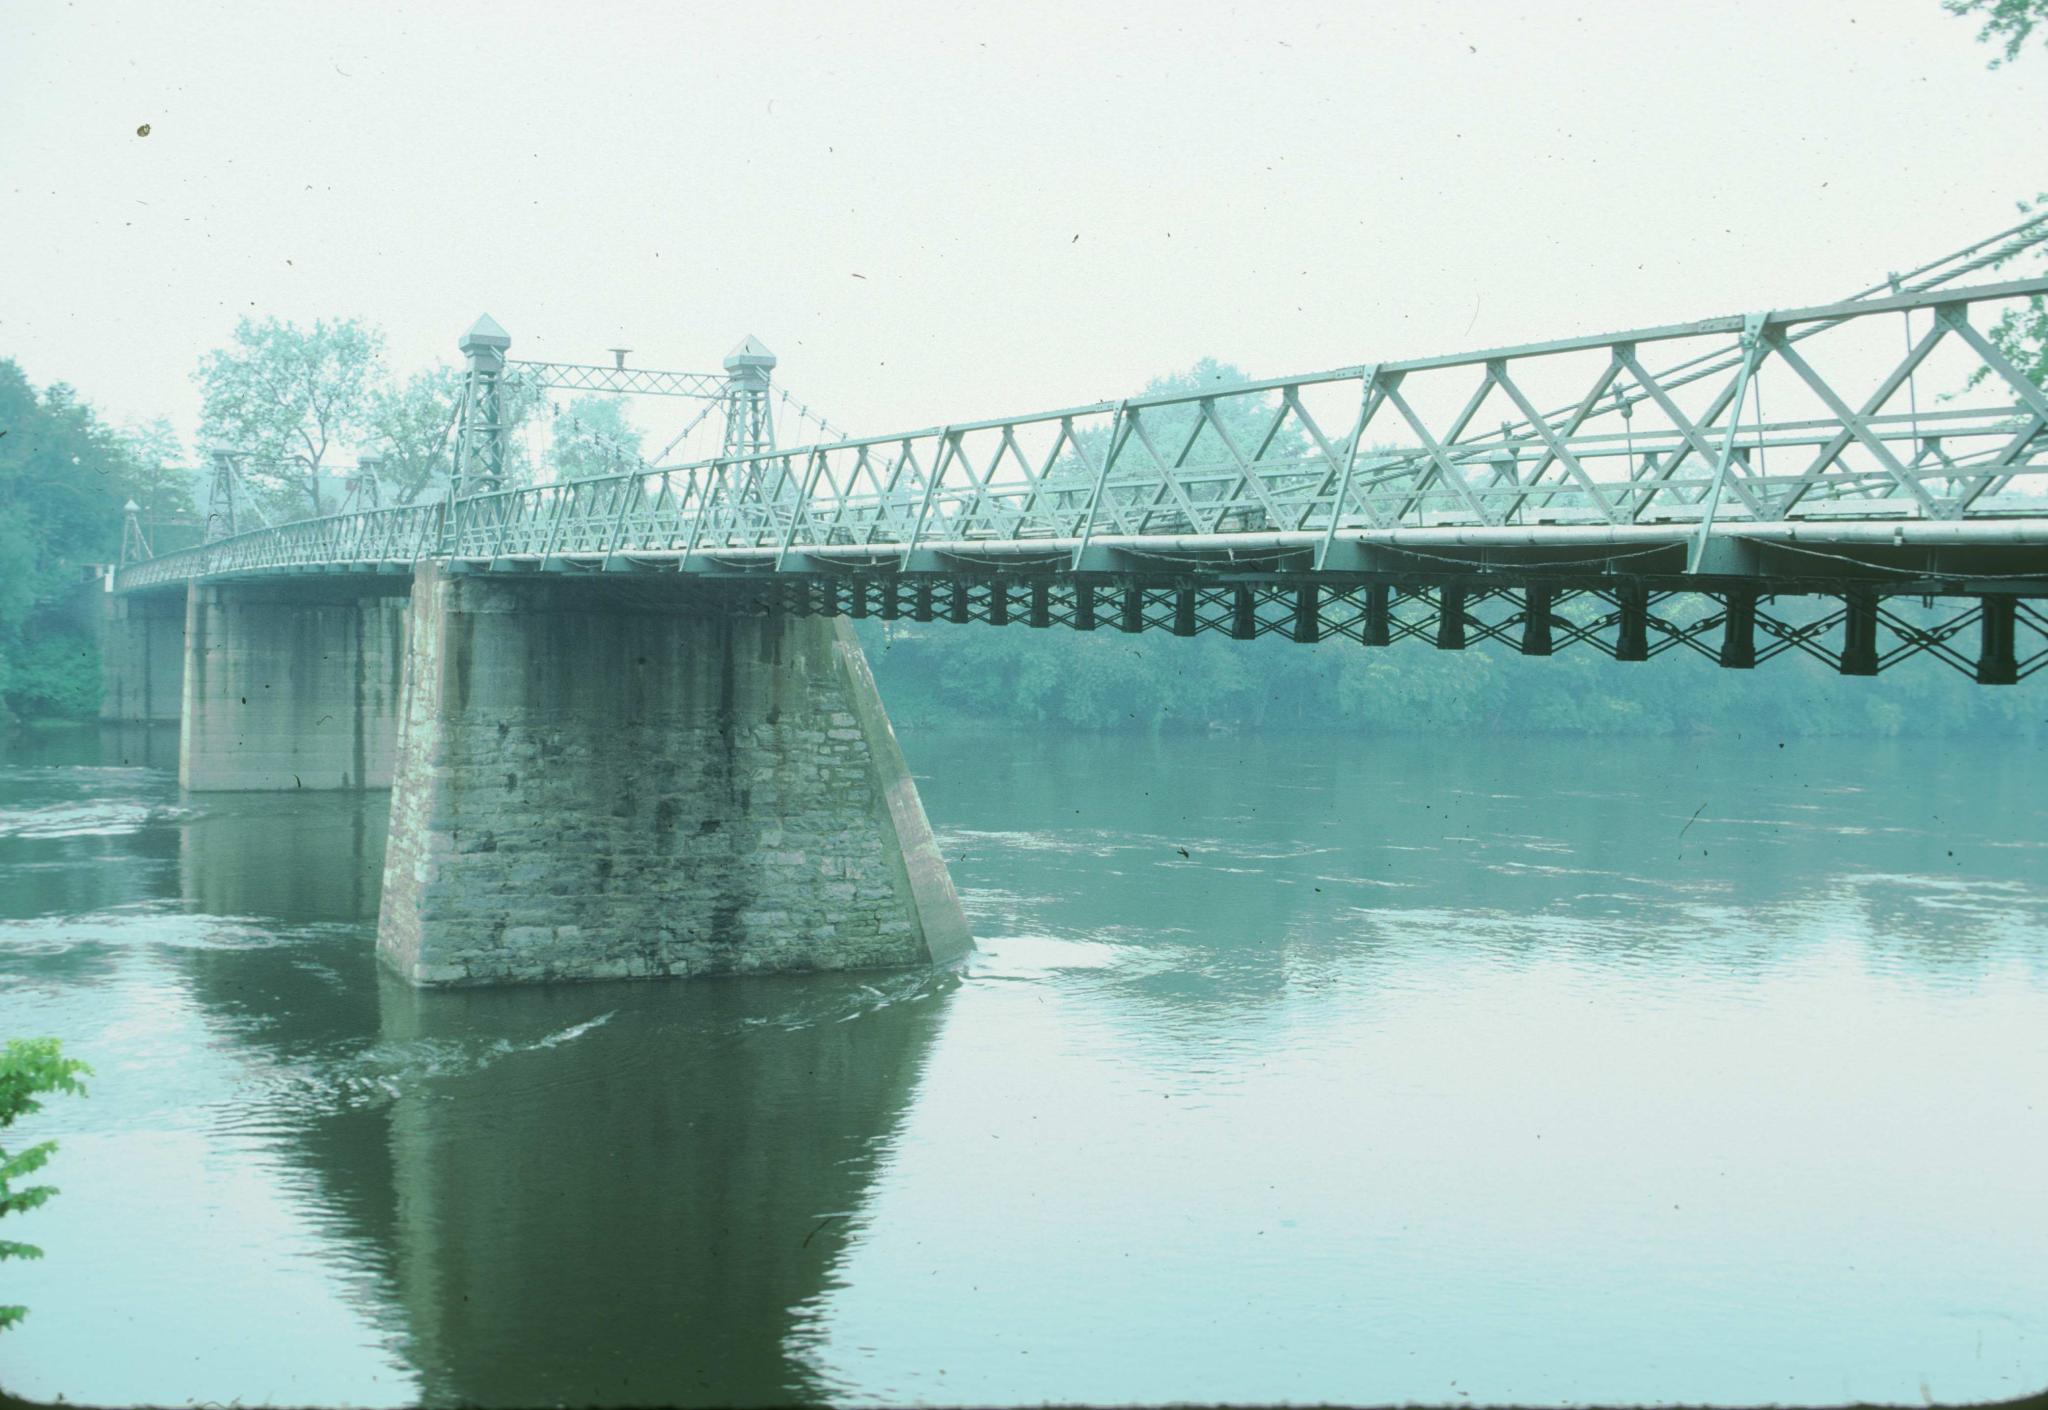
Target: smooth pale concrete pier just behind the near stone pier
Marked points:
292	683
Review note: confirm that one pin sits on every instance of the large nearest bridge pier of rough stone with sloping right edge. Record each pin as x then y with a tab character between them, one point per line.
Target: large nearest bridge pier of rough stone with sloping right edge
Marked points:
609	778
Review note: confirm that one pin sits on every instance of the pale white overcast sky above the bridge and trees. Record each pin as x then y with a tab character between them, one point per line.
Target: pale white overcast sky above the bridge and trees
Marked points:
947	212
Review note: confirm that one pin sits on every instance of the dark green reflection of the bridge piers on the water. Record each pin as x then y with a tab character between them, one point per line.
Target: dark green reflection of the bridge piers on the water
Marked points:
548	1186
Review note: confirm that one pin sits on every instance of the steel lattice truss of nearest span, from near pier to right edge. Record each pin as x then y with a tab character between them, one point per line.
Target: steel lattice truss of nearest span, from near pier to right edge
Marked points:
1889	407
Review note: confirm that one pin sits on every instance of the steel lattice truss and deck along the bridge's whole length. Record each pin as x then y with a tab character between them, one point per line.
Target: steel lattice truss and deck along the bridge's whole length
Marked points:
1859	450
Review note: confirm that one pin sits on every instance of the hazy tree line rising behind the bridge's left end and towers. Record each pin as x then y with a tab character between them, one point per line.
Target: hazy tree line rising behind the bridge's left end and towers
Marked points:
298	407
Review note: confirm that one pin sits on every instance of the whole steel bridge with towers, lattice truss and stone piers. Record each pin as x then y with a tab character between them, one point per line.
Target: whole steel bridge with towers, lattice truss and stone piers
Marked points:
630	731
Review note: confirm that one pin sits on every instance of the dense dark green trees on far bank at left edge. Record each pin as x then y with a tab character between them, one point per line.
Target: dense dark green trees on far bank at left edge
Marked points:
65	476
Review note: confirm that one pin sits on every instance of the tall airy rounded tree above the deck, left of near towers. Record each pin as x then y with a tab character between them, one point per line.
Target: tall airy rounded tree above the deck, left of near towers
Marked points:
290	397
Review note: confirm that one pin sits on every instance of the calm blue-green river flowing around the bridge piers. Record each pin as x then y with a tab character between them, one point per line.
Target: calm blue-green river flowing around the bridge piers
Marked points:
1457	1069
